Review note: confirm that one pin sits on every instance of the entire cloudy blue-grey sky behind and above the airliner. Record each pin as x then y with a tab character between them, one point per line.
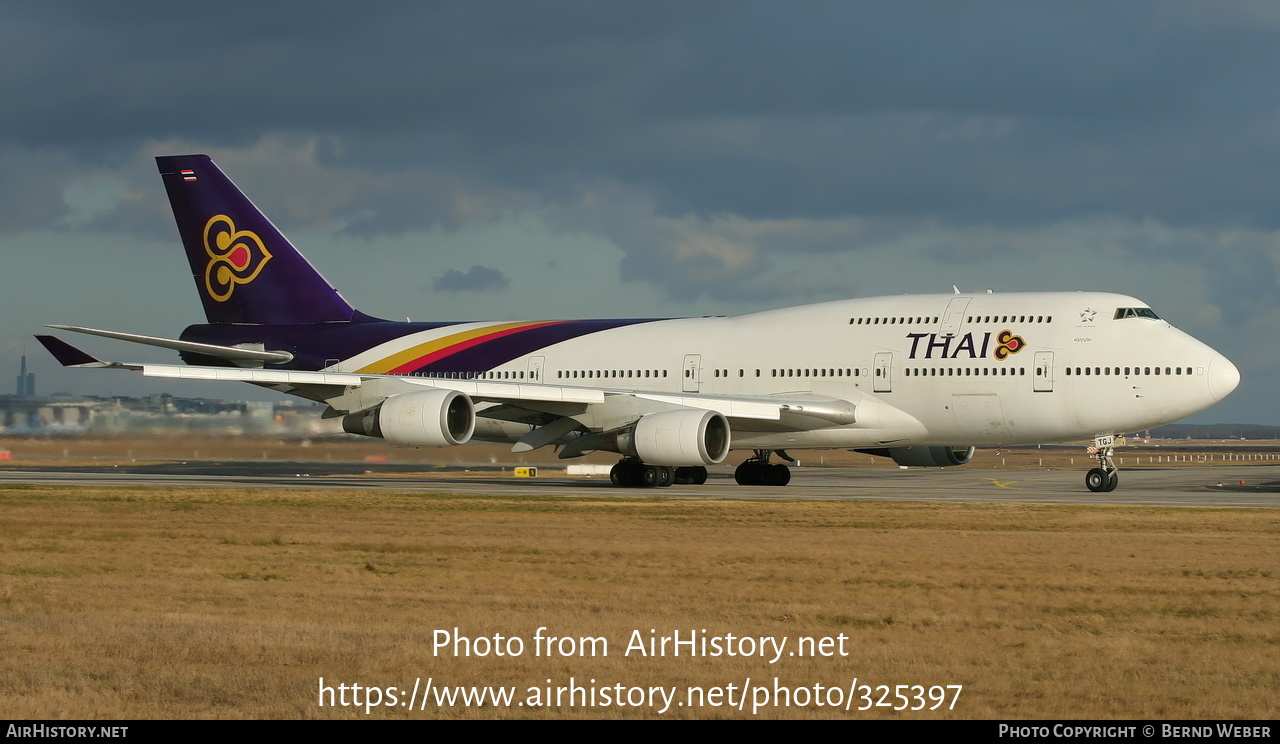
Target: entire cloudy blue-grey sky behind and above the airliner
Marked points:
605	159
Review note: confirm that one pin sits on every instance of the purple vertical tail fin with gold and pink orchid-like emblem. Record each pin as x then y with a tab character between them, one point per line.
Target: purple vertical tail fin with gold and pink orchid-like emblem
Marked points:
245	270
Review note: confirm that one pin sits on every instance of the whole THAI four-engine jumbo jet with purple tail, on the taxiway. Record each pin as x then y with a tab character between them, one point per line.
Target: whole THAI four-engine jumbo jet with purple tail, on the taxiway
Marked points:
922	380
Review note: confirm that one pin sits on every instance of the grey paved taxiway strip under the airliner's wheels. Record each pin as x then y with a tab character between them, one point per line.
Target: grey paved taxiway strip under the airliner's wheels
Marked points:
1192	486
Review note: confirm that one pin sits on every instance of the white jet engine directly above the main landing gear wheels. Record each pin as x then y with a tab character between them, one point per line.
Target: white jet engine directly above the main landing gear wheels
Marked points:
682	439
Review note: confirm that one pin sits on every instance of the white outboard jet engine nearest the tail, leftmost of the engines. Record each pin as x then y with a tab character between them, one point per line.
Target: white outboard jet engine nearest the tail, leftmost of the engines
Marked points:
422	419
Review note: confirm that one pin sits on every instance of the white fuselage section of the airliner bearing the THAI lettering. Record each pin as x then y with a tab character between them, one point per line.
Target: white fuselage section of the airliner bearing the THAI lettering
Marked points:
932	369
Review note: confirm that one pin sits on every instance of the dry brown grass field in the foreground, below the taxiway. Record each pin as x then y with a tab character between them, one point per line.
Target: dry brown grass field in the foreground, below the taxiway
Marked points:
141	604
